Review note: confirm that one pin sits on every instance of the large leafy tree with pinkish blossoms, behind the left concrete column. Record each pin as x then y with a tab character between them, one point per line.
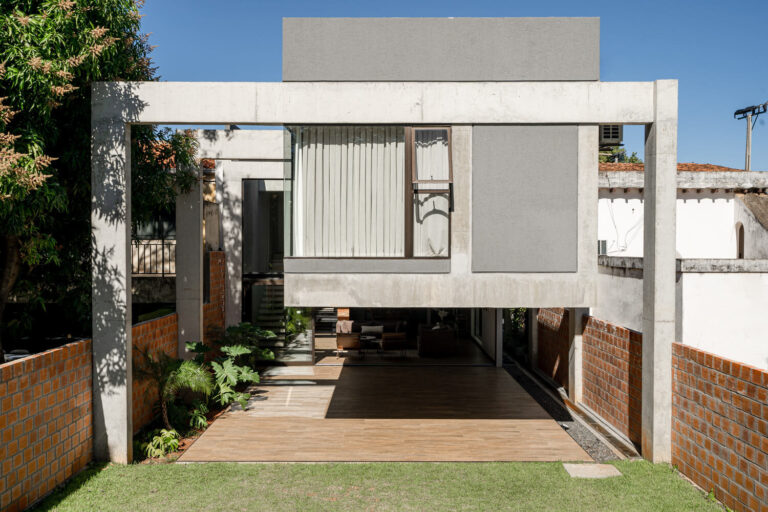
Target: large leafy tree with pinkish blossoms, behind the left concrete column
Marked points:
50	52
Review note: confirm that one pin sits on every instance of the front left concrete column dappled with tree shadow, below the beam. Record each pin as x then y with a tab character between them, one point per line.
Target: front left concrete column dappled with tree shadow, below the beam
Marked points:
111	288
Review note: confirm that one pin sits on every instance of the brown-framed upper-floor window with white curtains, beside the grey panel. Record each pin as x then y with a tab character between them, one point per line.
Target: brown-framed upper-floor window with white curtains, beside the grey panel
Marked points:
370	192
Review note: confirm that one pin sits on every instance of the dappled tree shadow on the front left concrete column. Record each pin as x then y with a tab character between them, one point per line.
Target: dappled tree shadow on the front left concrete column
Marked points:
110	214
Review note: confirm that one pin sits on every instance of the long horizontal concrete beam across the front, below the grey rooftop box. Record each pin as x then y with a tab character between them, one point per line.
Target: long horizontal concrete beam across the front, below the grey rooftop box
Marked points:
269	103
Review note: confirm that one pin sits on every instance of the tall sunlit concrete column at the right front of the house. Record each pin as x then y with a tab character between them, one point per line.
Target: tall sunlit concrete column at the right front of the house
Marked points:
660	191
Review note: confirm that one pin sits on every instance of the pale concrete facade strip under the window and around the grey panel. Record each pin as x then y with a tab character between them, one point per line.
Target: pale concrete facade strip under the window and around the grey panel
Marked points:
461	287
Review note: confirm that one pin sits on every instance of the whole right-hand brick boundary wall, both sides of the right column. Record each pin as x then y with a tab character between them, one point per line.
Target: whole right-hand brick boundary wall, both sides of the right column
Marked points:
719	411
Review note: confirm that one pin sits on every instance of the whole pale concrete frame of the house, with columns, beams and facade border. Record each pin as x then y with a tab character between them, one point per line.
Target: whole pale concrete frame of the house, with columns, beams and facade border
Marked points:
460	104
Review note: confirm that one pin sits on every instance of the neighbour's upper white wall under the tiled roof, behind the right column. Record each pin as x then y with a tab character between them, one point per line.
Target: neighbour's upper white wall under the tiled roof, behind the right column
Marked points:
705	223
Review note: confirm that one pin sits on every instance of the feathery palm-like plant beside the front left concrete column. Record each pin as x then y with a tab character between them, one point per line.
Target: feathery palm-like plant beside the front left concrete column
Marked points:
172	376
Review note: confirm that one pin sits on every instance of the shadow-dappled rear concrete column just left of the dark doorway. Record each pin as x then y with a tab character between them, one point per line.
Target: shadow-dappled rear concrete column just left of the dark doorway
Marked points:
229	195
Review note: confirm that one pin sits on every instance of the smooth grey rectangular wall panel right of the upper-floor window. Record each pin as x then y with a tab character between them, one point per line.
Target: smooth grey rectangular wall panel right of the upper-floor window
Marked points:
524	199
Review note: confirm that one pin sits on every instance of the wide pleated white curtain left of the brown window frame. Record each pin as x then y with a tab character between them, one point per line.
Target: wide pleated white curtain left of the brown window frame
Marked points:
349	192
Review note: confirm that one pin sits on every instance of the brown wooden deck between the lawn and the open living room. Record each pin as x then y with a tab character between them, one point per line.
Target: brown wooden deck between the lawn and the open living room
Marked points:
353	414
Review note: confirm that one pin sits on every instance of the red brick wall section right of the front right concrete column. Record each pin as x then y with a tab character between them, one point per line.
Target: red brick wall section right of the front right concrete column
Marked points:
720	426
